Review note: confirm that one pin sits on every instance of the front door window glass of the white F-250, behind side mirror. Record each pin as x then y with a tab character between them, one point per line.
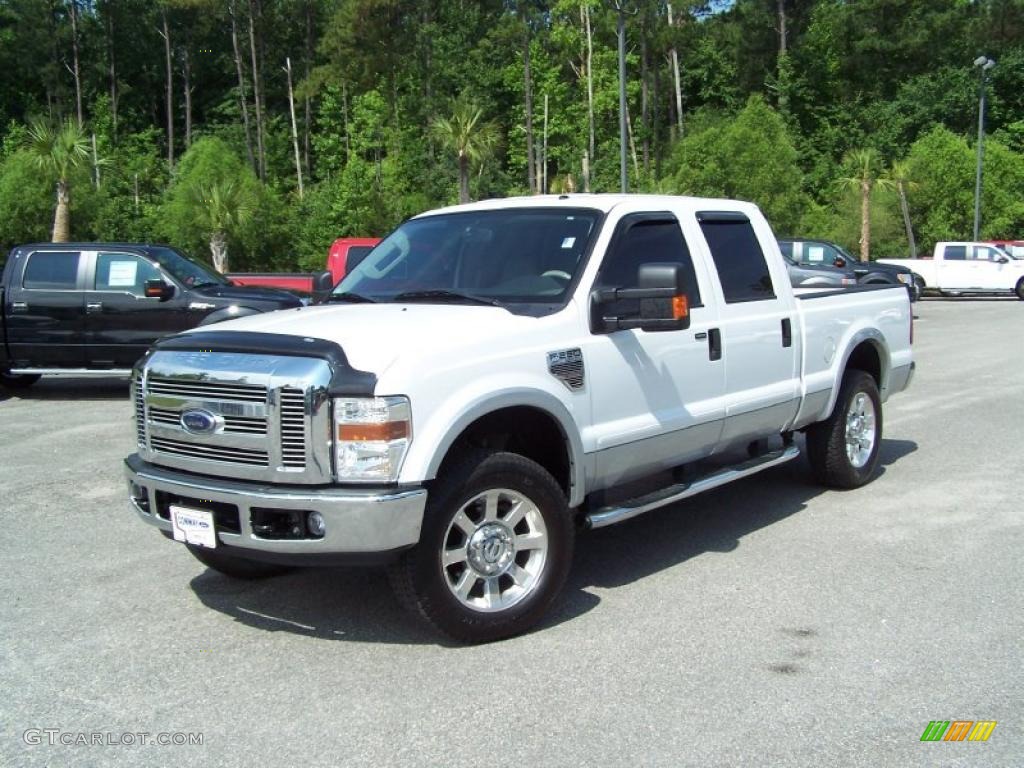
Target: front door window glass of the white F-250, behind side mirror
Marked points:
642	240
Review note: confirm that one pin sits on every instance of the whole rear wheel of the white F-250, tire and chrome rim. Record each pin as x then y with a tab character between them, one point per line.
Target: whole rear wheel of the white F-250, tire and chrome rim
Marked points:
844	449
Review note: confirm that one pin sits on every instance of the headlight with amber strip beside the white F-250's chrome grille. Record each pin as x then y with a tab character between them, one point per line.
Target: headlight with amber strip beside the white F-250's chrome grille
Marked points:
372	437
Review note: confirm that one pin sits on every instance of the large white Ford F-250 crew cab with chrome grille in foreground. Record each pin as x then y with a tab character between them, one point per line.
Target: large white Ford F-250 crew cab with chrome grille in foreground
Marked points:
494	377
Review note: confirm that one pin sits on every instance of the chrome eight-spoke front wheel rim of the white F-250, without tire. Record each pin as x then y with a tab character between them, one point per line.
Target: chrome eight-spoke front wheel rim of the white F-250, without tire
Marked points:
495	550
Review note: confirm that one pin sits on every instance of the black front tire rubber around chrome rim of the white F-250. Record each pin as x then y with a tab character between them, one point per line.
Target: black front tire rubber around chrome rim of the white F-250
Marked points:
421	582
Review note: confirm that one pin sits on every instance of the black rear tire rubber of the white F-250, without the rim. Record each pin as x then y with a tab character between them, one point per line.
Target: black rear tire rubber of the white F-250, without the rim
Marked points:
827	441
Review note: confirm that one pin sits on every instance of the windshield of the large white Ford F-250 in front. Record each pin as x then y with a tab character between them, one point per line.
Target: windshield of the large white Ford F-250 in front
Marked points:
523	255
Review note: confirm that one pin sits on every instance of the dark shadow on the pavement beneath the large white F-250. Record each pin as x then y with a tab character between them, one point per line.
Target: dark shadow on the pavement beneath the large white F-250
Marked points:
357	605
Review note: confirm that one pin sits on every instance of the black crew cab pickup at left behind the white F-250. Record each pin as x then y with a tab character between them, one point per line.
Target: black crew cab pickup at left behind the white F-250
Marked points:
95	309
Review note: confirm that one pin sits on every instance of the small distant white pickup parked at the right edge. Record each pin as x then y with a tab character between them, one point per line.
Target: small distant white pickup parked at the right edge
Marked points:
957	269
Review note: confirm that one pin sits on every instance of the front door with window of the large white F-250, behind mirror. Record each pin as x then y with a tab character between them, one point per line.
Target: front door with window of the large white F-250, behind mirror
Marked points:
656	398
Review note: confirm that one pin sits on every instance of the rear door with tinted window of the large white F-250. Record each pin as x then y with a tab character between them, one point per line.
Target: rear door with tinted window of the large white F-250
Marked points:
760	338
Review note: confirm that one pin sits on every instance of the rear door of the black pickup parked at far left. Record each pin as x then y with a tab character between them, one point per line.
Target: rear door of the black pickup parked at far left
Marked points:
46	310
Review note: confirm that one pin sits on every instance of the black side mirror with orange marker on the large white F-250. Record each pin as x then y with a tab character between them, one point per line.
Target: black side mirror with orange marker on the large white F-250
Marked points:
660	297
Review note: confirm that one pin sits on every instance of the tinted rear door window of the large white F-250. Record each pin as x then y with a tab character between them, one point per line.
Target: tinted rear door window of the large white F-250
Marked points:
739	260
